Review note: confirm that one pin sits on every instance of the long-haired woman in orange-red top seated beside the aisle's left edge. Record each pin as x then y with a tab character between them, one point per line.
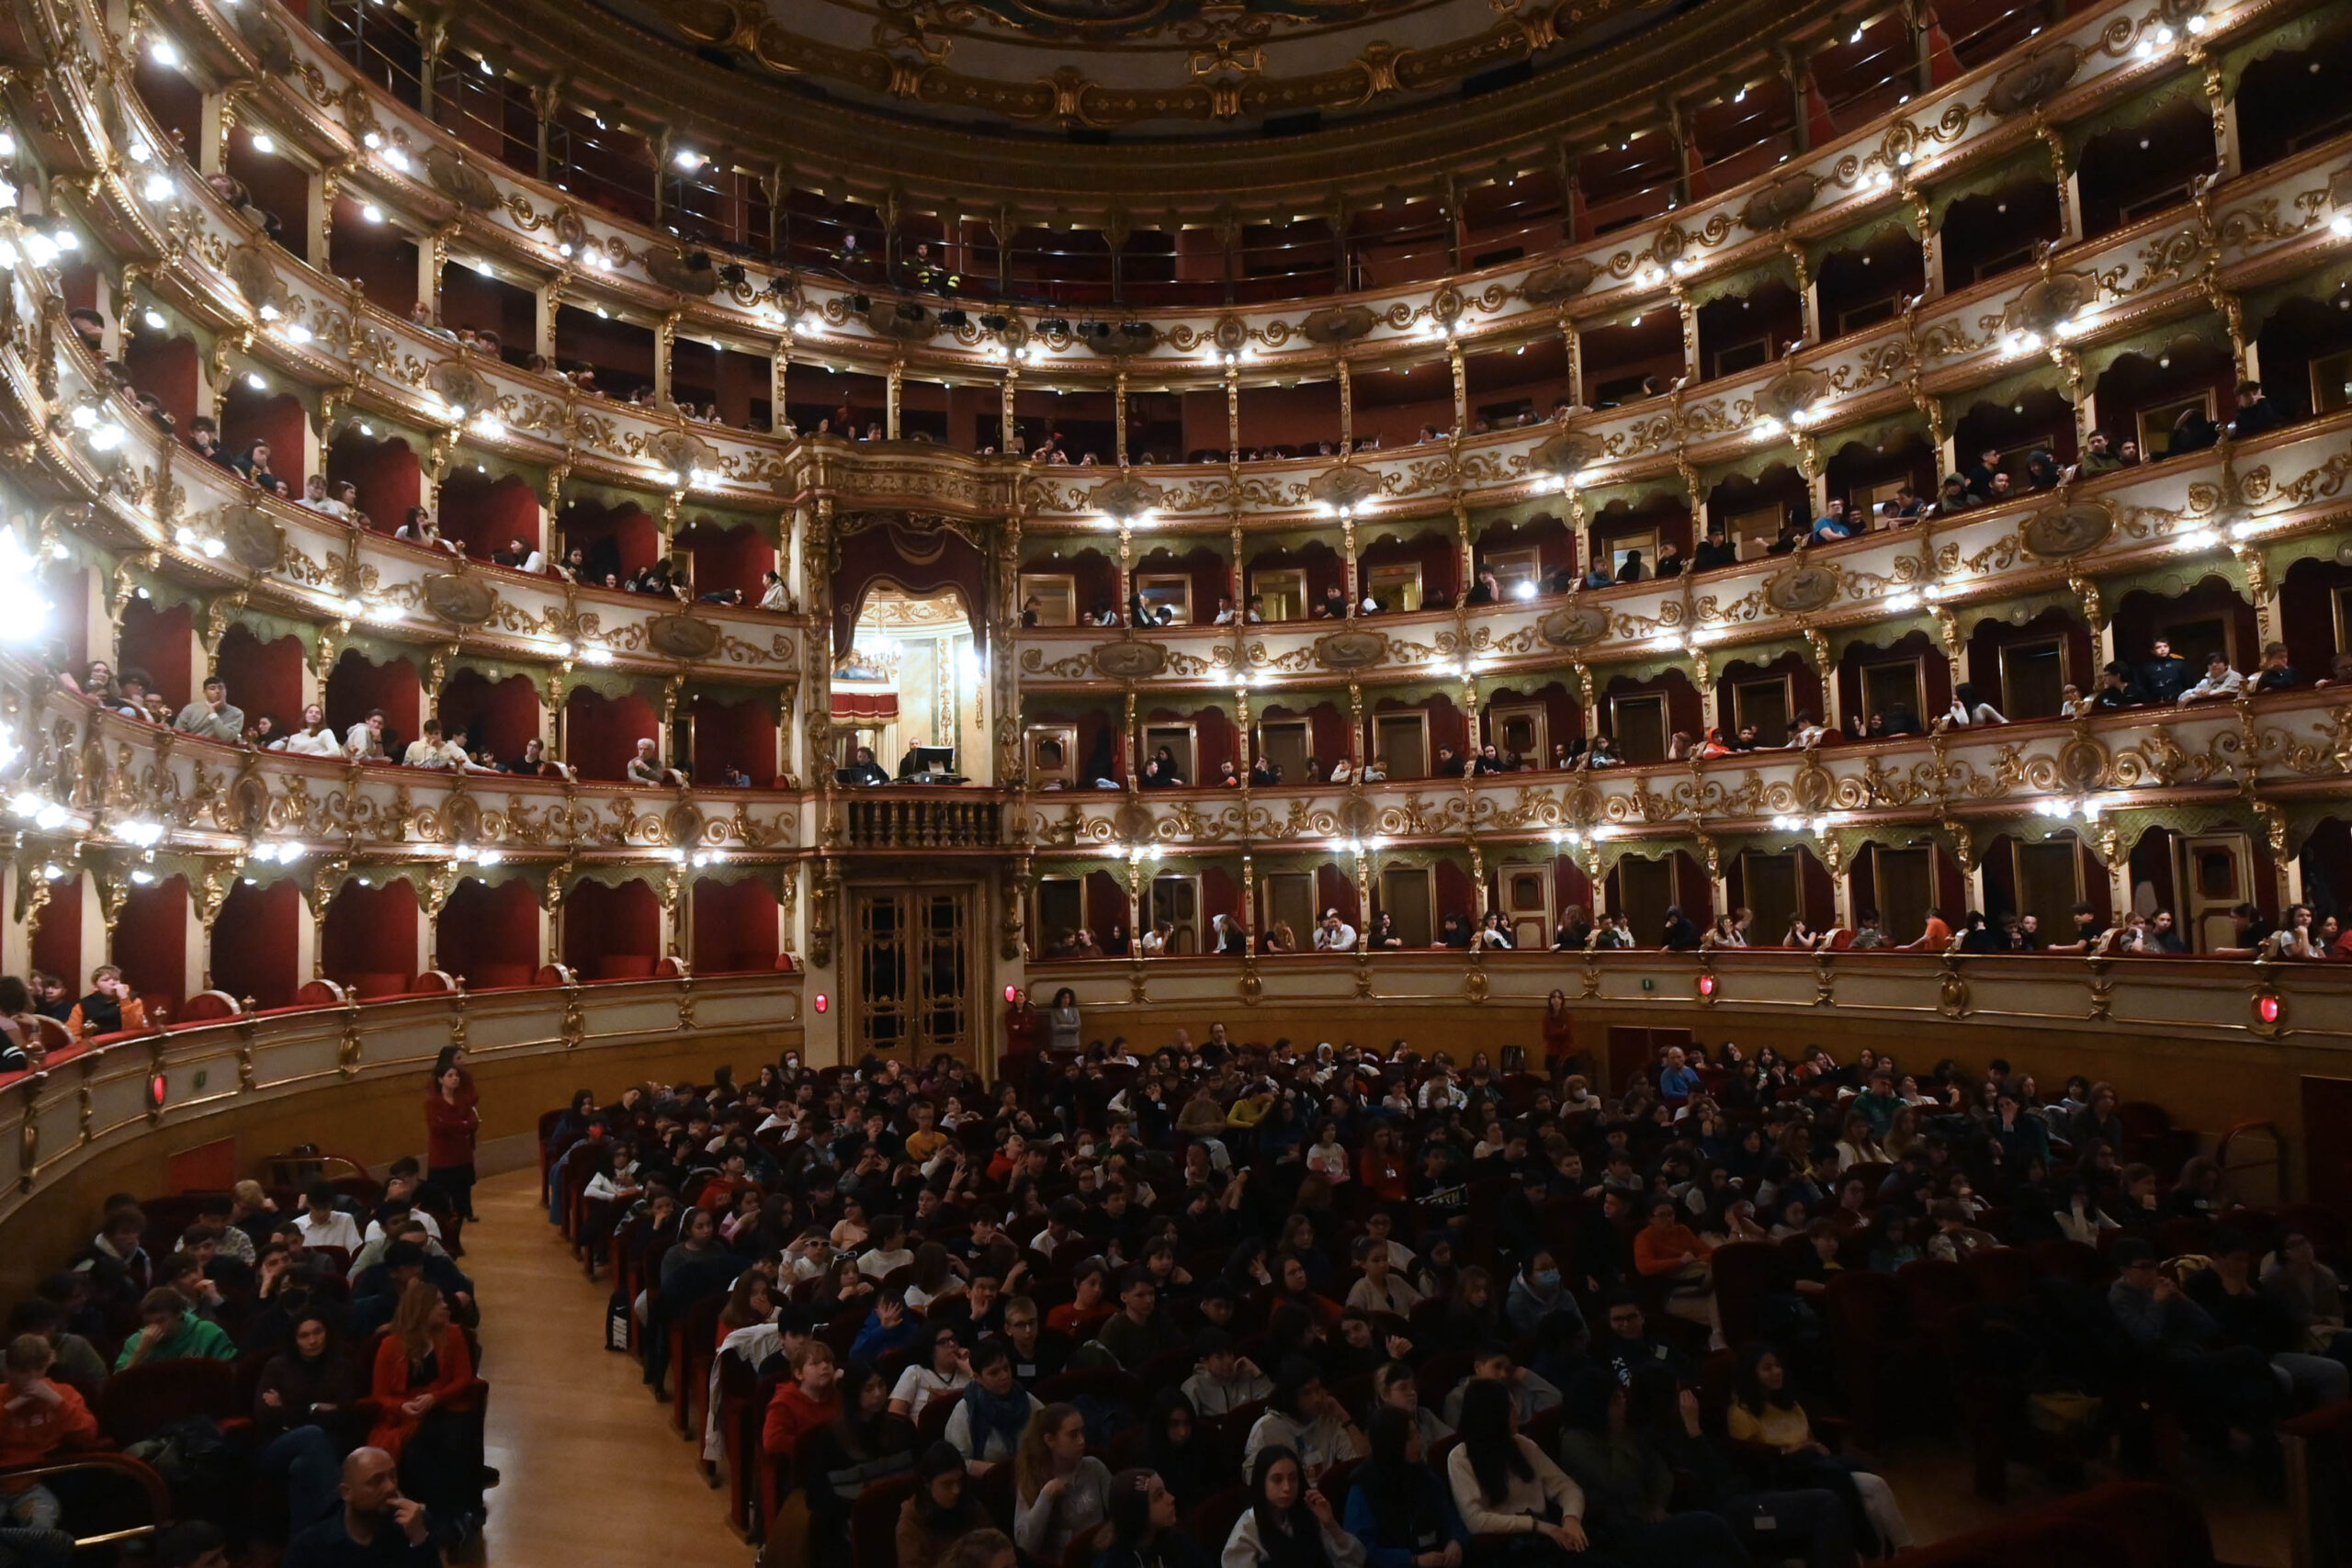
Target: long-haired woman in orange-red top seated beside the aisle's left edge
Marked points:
425	1395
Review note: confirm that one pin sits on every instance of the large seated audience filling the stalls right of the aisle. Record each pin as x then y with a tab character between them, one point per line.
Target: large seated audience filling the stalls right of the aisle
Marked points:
1351	1308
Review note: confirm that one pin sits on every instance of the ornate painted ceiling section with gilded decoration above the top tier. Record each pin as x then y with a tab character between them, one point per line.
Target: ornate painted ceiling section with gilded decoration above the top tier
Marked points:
1149	67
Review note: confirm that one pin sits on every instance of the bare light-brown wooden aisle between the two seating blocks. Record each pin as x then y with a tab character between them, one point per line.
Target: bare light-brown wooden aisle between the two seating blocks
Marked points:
592	1470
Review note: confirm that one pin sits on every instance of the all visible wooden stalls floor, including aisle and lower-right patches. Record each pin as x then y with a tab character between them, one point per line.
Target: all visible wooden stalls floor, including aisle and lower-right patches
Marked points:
596	1473
